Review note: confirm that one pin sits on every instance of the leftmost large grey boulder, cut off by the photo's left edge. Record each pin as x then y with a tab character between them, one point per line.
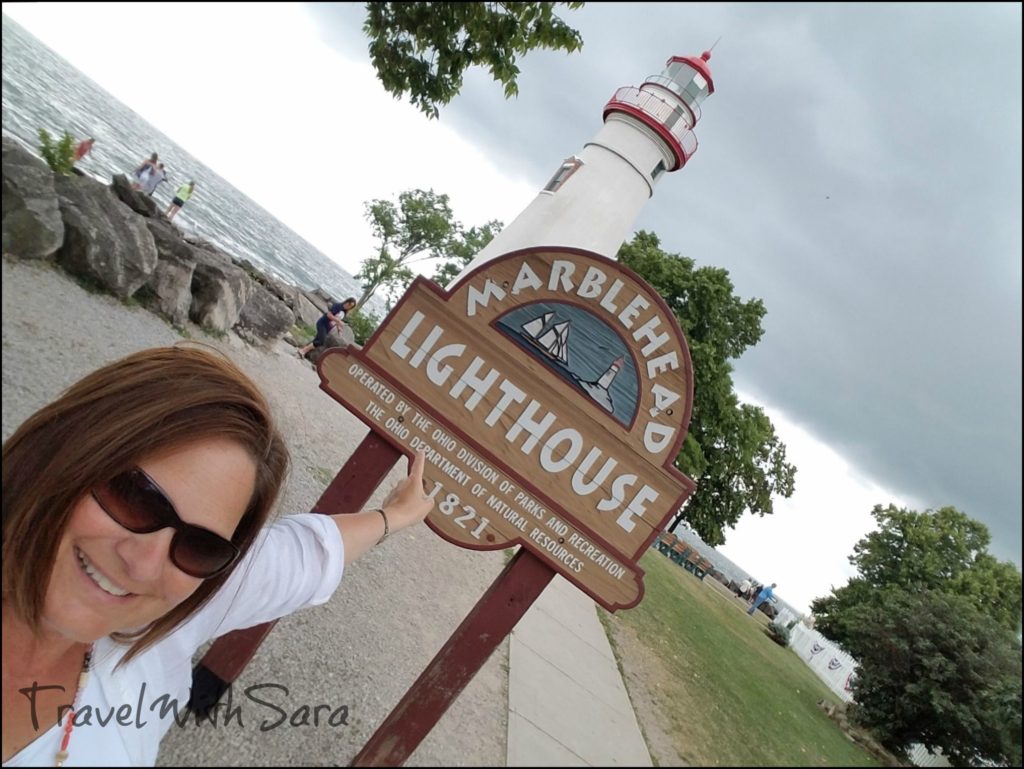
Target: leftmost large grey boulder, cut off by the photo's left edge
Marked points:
33	228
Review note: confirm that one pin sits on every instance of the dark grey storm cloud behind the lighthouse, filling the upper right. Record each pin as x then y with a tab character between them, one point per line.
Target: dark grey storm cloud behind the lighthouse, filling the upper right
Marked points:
860	170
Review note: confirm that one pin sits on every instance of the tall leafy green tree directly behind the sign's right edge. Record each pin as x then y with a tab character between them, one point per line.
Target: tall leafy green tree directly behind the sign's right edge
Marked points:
732	450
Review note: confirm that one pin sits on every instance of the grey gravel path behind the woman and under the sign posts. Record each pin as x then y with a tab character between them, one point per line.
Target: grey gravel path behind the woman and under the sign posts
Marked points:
394	611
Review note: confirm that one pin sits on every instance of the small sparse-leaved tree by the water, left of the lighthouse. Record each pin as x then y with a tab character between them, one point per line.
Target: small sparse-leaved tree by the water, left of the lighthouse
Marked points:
420	227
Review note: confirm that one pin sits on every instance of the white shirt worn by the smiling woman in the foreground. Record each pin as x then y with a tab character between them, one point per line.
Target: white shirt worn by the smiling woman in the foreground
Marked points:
294	564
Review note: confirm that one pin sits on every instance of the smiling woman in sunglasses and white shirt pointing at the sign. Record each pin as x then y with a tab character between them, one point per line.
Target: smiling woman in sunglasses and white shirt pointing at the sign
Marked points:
136	514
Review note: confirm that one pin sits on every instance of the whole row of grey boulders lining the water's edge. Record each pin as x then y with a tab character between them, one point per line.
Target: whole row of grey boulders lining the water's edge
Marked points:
117	240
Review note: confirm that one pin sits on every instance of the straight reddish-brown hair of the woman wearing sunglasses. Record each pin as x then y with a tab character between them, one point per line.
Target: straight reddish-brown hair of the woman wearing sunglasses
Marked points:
148	403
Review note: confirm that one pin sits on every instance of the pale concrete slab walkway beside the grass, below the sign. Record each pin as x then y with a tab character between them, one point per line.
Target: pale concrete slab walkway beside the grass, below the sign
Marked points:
568	704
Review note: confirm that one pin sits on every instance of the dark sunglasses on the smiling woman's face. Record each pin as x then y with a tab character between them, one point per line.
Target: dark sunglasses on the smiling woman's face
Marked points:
135	501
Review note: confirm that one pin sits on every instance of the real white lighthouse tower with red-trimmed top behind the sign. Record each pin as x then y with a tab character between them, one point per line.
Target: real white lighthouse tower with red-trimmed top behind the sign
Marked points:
595	197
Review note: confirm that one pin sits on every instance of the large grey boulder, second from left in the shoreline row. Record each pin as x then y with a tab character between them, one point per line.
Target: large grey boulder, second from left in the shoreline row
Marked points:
105	241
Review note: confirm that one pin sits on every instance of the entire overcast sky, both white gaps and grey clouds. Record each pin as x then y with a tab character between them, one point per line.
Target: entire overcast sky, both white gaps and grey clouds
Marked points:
860	170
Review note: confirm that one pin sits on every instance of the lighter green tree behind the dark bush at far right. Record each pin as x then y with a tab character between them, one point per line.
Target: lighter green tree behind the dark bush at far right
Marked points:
942	550
